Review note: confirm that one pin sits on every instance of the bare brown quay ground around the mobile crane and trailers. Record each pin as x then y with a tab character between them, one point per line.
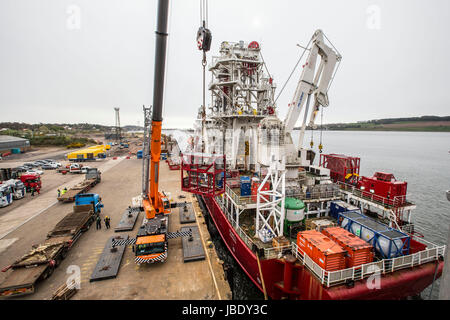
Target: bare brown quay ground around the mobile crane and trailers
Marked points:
170	280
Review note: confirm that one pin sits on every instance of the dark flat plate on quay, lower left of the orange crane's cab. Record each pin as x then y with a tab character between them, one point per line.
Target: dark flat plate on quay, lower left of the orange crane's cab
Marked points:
109	262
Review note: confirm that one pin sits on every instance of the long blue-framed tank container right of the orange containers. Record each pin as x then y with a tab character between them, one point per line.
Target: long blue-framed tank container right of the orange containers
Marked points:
388	242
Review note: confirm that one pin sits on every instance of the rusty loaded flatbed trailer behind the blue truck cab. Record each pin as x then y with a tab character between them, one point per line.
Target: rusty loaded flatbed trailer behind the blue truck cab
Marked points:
40	262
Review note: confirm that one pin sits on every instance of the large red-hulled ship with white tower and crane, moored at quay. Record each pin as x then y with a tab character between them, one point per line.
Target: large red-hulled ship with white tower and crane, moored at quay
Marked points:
299	230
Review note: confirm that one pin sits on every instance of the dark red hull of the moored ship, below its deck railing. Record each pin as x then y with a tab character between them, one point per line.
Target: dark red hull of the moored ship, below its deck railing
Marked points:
293	281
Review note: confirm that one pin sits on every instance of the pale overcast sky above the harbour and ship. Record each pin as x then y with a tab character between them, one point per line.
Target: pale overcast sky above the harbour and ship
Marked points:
75	61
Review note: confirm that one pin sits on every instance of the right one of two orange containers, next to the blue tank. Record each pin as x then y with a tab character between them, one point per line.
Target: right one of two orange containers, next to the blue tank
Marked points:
358	251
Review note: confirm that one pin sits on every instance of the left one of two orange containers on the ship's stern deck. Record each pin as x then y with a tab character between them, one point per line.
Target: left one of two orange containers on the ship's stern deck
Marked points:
325	252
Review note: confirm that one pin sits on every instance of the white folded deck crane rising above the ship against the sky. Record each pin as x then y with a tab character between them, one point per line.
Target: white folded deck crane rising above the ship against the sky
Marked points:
312	82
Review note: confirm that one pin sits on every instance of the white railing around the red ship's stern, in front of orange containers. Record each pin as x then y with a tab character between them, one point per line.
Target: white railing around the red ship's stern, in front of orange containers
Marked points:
331	278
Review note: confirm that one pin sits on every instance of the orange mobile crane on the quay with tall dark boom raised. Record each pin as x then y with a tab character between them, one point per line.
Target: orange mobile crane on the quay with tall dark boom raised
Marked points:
151	243
